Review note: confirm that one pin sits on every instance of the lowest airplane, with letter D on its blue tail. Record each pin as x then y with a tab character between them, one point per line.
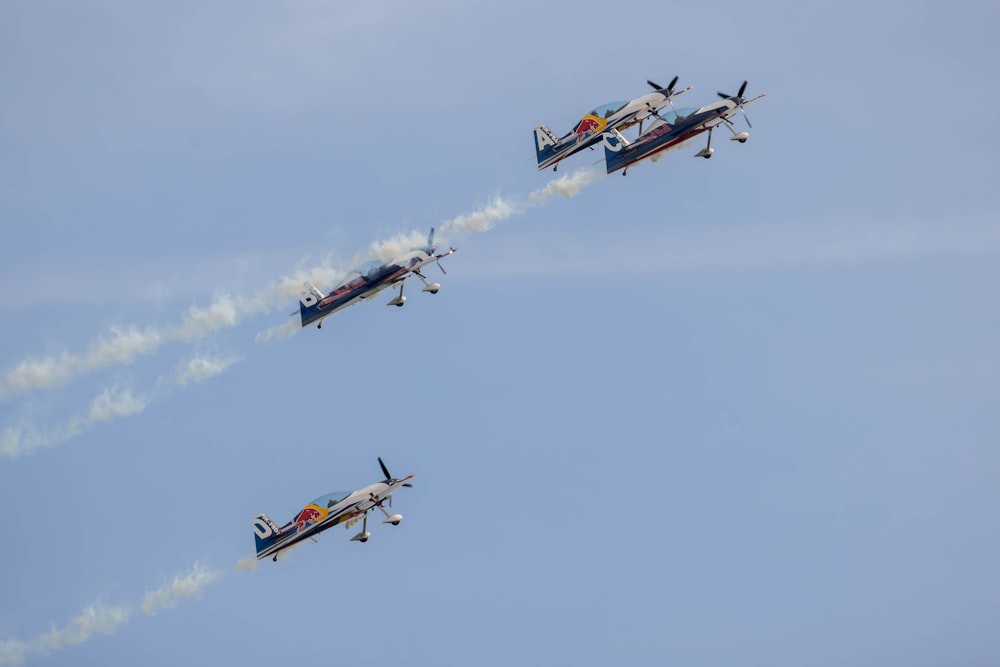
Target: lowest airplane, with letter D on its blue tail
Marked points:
339	507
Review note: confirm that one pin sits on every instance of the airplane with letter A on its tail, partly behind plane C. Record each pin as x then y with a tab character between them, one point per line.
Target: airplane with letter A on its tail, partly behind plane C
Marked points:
613	115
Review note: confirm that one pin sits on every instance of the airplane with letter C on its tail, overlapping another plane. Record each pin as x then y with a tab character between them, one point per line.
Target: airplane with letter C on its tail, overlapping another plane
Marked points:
676	127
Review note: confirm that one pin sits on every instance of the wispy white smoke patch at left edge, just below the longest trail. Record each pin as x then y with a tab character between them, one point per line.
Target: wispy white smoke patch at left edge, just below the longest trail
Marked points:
112	403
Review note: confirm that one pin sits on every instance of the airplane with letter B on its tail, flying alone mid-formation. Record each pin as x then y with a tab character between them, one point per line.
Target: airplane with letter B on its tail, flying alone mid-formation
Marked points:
365	281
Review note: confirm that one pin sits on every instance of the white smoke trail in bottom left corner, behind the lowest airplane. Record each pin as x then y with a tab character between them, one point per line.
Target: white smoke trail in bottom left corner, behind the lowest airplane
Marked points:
100	620
